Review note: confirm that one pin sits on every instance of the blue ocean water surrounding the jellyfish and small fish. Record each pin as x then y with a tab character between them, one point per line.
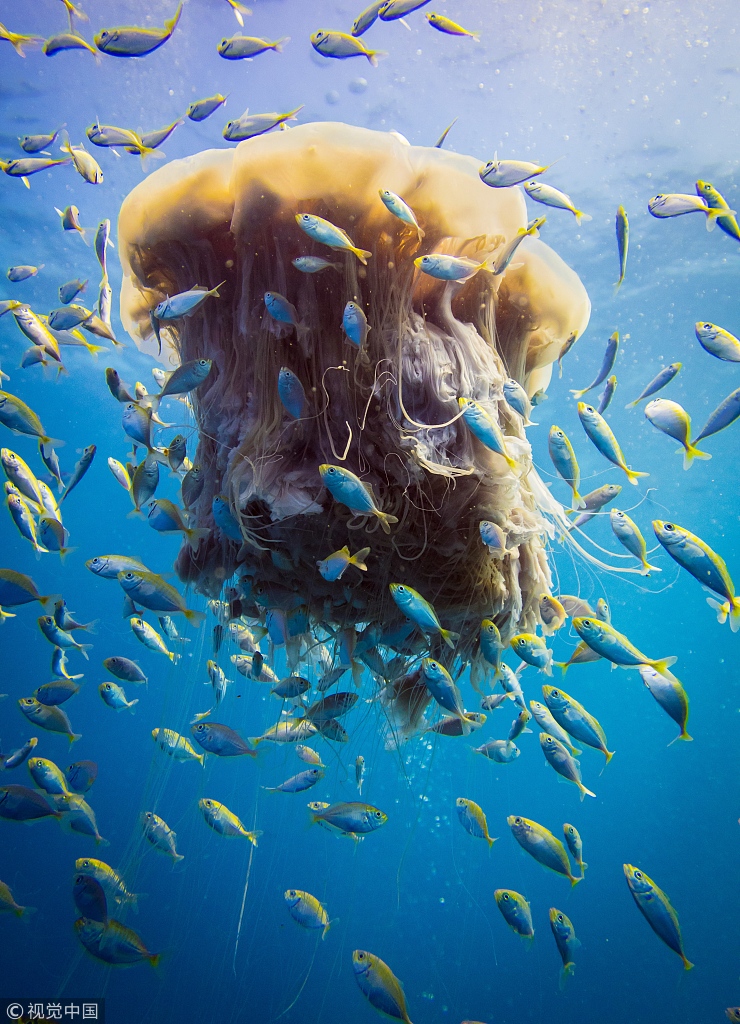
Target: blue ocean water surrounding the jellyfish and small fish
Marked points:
632	100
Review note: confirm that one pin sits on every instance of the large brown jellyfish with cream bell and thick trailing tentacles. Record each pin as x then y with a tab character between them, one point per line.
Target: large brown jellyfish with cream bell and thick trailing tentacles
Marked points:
388	412
